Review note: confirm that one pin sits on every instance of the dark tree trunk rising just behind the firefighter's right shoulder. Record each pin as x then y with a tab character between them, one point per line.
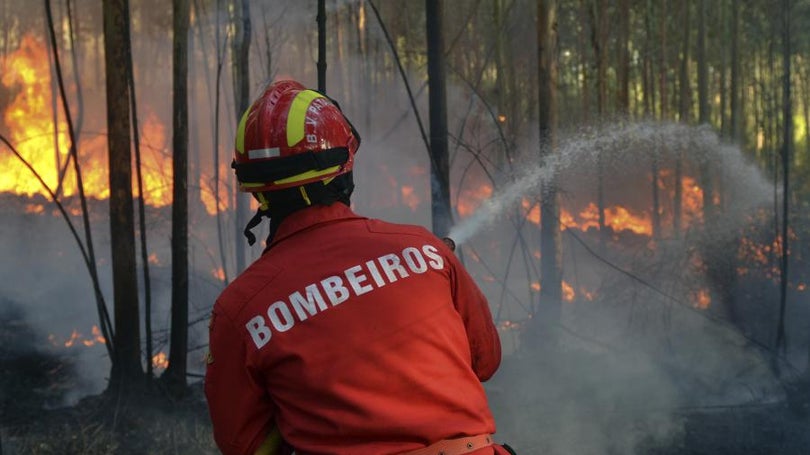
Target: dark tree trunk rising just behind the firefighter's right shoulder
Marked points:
440	162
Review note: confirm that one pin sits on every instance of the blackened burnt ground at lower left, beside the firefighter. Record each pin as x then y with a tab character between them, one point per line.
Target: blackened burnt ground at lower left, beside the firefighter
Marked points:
34	380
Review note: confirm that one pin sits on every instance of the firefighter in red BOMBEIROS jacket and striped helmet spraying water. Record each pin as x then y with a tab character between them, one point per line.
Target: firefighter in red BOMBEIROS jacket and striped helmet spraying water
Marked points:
349	335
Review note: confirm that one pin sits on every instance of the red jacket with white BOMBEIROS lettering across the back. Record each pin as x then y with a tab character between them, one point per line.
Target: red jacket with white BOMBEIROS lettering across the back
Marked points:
354	336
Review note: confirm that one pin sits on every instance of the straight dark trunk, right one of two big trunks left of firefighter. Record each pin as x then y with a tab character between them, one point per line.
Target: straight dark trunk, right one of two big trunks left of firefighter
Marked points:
175	374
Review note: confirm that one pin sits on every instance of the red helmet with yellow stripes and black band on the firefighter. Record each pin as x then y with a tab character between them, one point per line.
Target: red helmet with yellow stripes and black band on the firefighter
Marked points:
292	136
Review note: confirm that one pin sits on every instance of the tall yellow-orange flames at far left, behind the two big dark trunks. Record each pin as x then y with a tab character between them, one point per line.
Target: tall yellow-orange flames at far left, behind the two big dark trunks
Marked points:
46	146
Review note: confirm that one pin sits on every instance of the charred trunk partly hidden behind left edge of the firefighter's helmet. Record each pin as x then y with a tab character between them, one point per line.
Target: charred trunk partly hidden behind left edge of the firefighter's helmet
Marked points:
241	94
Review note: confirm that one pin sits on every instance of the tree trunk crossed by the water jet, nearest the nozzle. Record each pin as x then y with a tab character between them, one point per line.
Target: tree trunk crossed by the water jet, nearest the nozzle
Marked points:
550	307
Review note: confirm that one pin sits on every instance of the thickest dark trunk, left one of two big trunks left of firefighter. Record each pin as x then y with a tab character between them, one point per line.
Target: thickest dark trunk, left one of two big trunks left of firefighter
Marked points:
126	365
